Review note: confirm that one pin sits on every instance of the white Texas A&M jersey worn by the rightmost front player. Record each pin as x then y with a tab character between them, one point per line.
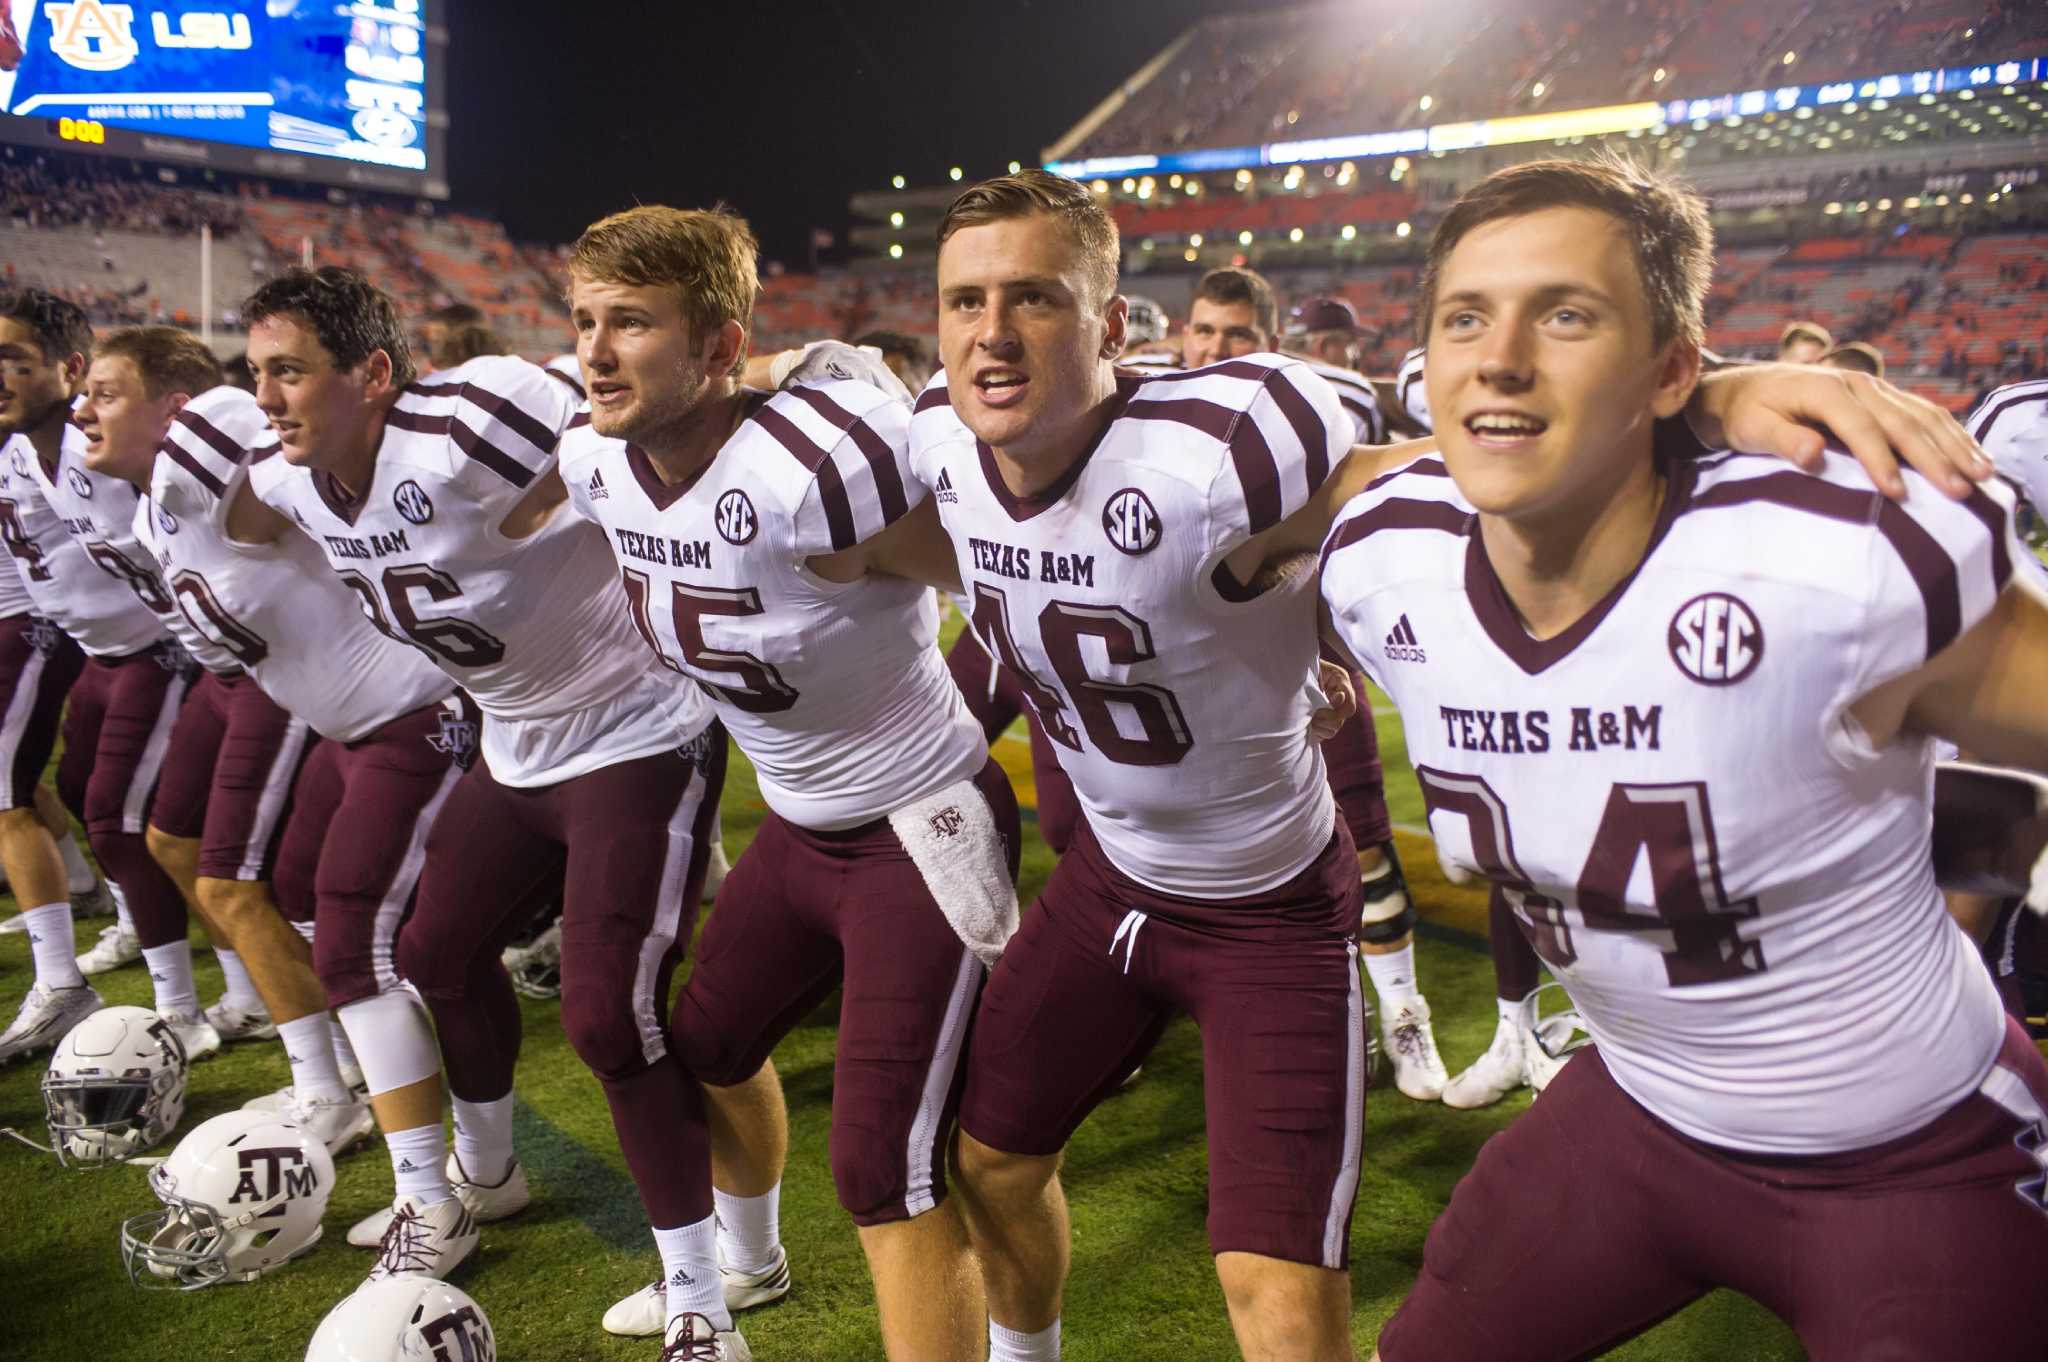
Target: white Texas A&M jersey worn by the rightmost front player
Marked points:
1732	884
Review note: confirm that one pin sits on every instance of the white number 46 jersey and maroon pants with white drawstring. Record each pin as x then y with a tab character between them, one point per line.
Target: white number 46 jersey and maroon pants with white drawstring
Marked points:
1209	863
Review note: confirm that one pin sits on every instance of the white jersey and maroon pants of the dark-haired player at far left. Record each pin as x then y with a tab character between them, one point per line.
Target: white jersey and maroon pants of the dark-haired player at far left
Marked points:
128	695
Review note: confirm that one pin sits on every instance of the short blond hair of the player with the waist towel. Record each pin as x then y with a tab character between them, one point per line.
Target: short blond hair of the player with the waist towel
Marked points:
708	257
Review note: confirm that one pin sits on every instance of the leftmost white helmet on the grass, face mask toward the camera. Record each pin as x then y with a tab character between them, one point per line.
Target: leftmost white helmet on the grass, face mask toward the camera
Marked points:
114	1089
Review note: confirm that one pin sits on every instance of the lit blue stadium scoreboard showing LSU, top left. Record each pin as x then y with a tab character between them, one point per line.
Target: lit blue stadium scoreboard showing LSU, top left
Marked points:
331	91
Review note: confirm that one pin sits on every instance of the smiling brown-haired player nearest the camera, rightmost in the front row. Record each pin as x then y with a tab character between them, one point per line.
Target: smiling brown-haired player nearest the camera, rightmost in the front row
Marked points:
1680	712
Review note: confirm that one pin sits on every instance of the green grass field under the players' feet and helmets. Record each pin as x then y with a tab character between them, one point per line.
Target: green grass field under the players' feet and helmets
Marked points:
1142	1281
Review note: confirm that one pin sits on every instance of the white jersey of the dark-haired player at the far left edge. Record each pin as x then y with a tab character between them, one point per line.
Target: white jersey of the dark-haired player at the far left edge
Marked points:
69	585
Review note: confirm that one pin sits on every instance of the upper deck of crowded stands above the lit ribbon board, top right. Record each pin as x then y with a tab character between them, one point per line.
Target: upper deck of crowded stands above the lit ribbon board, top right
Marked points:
1349	69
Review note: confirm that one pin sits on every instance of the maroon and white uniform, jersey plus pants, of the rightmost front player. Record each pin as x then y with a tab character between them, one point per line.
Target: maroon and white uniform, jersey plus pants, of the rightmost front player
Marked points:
1727	878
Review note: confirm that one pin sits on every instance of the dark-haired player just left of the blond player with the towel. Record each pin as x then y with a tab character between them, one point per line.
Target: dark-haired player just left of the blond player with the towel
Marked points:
441	507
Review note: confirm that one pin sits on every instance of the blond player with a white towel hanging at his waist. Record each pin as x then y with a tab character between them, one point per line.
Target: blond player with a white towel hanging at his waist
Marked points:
753	536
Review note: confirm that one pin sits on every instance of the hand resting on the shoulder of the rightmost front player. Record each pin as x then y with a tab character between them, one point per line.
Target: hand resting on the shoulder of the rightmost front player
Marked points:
1791	411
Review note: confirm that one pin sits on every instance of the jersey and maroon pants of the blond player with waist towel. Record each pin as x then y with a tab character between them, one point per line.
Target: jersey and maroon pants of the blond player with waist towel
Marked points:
843	701
